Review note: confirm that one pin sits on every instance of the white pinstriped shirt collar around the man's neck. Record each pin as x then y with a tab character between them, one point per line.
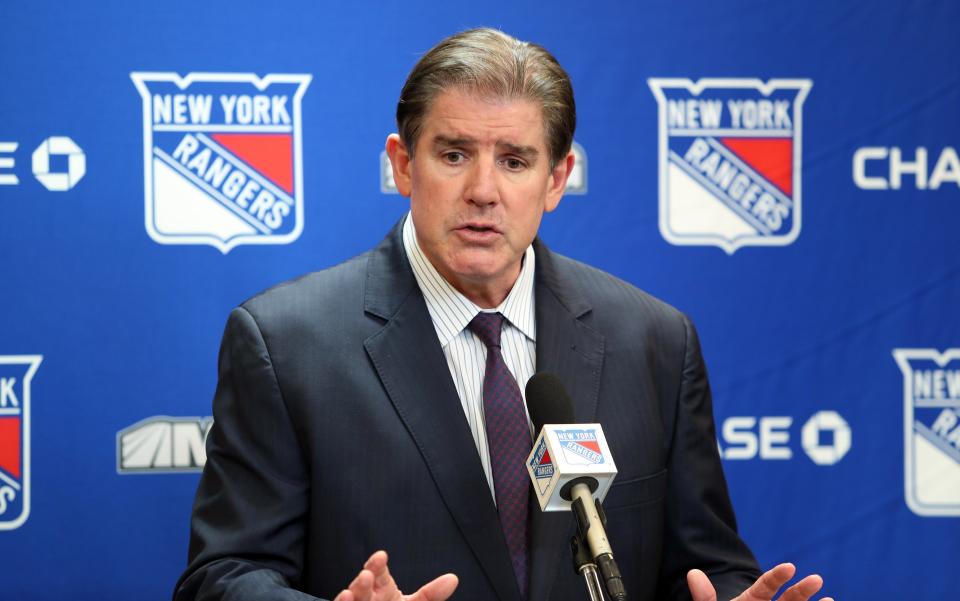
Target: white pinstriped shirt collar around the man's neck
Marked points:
451	311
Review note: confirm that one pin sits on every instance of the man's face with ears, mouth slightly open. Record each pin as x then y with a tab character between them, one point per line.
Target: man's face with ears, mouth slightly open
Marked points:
479	183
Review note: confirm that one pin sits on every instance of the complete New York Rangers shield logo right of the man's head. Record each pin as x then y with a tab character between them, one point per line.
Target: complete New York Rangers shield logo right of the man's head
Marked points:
730	161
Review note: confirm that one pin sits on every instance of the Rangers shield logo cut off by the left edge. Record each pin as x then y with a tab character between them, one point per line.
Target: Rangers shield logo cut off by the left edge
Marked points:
16	372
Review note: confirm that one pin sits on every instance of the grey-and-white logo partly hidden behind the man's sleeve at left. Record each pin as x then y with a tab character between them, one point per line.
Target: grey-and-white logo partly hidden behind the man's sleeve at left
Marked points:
163	444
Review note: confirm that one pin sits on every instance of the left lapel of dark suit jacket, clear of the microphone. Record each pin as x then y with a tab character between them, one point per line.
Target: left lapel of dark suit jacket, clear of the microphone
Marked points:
414	372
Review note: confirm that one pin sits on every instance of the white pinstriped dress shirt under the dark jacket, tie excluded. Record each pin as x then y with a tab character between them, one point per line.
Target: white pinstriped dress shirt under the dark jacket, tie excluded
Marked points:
466	354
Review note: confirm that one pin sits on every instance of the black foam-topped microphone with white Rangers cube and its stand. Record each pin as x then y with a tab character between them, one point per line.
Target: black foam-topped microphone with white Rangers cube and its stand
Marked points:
572	469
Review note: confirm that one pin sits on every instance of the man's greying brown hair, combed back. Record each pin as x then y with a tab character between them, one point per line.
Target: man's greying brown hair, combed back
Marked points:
494	64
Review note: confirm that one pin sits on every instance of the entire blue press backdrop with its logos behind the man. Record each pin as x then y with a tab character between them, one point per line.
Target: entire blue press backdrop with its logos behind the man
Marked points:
785	173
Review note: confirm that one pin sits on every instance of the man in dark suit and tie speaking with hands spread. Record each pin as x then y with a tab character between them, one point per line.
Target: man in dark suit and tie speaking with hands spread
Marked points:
375	405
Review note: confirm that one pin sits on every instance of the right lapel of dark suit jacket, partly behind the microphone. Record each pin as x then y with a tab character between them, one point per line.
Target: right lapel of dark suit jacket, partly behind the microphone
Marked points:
574	353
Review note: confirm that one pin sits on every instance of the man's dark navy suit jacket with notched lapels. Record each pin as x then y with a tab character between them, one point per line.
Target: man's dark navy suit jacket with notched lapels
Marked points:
338	432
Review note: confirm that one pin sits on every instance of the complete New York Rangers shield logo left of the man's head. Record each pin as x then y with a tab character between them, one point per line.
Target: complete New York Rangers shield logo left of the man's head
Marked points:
222	157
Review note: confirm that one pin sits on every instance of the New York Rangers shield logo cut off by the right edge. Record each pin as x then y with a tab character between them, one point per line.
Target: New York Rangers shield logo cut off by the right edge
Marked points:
931	442
